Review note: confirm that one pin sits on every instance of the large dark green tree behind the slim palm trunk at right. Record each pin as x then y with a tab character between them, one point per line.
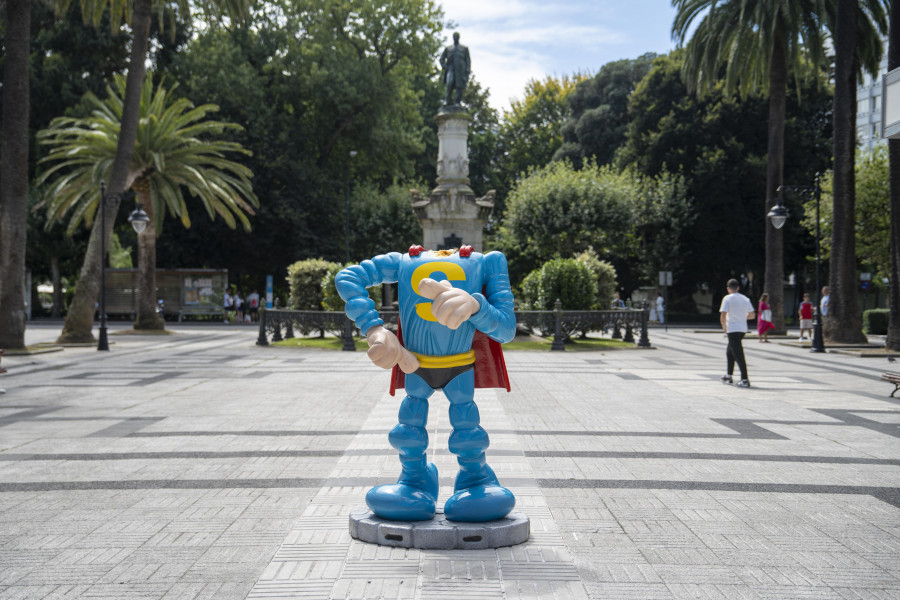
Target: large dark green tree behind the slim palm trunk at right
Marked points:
718	144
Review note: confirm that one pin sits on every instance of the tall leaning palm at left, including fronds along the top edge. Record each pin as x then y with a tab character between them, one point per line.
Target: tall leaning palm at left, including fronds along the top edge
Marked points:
79	319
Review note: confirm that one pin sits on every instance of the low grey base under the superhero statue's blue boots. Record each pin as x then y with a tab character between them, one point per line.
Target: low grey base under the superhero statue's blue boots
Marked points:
439	533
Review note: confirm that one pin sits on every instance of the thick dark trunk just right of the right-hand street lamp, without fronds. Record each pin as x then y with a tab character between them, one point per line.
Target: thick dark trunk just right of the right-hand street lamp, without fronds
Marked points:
843	324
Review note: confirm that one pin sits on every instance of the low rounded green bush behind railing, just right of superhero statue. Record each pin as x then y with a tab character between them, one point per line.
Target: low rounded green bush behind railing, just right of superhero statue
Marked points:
571	281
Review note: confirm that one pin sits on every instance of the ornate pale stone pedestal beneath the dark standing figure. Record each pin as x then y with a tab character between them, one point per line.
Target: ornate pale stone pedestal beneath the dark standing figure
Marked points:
451	215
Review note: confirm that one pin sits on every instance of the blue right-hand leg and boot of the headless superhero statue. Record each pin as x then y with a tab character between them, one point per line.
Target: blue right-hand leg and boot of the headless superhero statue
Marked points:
478	496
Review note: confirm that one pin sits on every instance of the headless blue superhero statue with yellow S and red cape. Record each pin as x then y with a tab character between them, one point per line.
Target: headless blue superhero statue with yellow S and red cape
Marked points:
448	300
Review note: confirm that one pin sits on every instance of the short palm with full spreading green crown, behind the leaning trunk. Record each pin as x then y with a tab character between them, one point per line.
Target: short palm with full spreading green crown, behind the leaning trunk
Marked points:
176	149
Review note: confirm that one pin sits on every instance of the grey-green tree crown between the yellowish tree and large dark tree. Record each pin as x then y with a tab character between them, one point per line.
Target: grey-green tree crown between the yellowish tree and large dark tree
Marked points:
597	116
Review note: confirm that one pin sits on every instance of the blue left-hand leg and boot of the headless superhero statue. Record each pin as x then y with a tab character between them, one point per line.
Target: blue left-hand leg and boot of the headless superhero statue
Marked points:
414	495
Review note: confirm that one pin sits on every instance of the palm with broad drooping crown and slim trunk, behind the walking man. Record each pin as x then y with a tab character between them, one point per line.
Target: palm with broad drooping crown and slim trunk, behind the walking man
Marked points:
761	44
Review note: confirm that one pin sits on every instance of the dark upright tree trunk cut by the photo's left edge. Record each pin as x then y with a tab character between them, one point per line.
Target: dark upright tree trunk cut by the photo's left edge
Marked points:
14	174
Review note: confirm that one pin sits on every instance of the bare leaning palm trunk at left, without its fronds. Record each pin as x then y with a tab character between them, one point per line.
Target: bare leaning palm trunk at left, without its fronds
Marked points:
80	317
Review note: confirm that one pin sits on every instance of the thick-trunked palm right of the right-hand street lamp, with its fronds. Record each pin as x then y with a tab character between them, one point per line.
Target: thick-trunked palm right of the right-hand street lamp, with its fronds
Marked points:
857	46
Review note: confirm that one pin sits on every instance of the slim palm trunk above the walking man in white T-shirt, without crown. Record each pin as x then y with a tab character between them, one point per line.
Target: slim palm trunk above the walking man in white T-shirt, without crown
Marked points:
774	279
